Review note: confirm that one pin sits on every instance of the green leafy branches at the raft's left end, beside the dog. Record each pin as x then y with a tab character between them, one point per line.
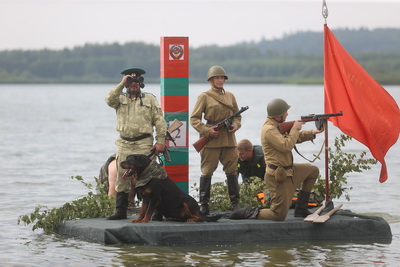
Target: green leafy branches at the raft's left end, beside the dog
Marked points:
94	205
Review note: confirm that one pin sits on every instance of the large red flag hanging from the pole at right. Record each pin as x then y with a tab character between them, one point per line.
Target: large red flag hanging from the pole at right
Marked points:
370	114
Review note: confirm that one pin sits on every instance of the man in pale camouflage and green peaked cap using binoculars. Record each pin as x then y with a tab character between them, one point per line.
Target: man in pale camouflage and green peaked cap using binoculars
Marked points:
138	113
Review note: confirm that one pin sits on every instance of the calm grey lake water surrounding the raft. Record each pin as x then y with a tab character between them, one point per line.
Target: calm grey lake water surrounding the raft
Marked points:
49	133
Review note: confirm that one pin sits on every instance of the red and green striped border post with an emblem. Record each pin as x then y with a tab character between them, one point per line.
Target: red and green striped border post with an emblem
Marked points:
174	79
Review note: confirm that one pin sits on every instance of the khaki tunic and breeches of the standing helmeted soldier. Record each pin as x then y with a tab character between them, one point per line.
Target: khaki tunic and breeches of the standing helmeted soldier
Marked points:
216	106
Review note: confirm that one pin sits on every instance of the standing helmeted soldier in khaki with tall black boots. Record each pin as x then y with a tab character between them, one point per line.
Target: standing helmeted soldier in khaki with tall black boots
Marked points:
217	104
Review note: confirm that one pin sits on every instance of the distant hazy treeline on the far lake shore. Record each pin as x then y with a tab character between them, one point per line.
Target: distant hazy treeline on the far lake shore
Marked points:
295	58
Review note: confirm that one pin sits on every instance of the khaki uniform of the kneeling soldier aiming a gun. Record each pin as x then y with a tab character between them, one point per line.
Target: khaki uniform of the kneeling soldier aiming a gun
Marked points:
277	150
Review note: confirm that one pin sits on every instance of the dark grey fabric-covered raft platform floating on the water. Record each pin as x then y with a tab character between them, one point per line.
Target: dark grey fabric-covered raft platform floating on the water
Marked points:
342	226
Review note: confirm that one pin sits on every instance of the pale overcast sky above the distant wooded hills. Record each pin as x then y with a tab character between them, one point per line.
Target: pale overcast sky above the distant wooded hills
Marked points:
58	24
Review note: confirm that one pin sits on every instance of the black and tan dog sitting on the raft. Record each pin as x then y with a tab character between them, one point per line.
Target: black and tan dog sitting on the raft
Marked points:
159	193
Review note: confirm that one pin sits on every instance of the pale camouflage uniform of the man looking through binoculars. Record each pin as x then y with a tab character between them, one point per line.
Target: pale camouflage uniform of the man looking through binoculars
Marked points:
135	117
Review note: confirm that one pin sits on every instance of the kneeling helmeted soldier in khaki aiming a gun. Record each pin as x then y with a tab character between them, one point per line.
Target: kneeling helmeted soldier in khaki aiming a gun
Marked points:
282	176
